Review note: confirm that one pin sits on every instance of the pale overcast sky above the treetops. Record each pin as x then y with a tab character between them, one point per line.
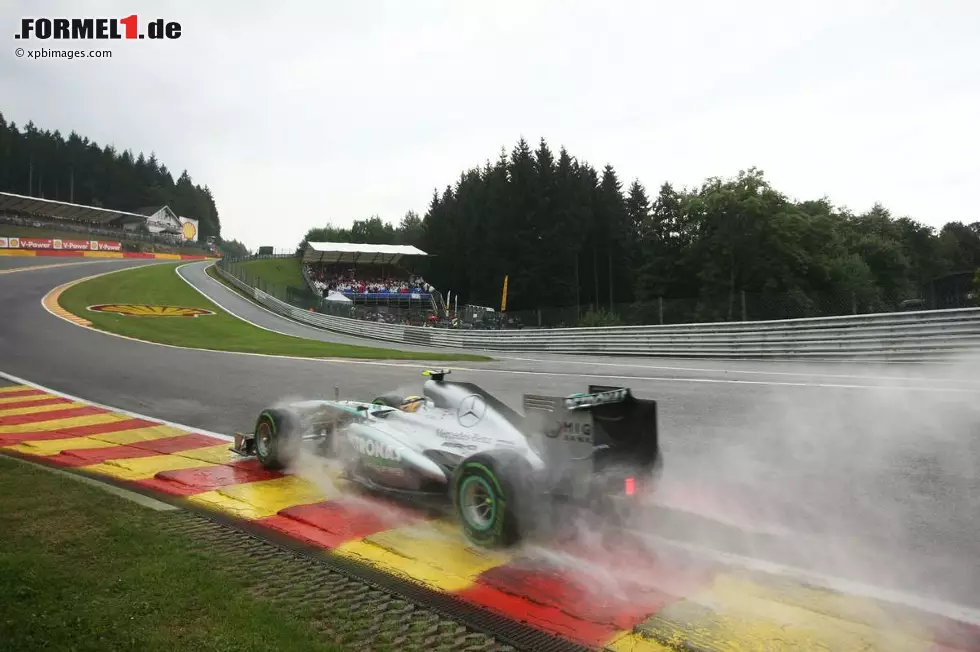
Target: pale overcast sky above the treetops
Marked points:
301	113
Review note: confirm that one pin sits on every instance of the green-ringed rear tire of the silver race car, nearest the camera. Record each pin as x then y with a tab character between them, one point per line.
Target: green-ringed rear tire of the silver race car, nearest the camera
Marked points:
490	493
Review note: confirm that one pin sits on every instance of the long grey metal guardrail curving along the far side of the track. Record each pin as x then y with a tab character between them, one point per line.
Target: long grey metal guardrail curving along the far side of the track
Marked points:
933	334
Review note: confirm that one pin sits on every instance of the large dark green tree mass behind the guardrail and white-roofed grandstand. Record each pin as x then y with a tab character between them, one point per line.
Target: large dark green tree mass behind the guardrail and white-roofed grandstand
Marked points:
567	234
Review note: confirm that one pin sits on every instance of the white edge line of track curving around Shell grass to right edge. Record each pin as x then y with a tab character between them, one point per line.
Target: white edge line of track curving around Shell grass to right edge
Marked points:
415	364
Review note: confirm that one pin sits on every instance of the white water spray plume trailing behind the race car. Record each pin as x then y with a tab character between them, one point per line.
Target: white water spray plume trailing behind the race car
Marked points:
871	488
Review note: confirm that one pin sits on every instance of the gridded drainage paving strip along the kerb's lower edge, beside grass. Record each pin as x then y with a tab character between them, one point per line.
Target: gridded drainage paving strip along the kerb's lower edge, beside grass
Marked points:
303	573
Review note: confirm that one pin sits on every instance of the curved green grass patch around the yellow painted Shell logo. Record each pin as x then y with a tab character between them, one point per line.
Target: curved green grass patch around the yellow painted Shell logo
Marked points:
159	284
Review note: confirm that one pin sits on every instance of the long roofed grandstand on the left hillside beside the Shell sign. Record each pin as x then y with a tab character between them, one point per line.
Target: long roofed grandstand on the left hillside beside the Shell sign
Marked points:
26	217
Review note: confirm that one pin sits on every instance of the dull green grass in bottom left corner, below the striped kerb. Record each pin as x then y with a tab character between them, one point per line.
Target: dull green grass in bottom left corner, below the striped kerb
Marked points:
84	570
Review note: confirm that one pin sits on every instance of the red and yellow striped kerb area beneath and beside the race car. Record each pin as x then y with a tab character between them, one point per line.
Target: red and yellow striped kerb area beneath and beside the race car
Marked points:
617	595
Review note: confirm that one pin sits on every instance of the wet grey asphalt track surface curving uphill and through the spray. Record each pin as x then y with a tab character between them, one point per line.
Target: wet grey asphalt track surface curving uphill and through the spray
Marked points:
878	465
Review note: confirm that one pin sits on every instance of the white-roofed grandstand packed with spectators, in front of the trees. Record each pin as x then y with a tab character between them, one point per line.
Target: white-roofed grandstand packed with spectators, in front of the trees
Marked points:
370	281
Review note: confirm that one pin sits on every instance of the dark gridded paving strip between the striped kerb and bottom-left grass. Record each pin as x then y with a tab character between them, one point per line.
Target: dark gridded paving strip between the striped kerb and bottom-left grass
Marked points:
358	606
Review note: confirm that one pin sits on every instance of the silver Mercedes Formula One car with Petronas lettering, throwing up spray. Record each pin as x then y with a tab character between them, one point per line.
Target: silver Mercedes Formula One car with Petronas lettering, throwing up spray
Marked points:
500	469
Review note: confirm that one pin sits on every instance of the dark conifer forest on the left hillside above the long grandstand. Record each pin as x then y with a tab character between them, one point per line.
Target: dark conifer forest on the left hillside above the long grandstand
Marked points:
45	164
